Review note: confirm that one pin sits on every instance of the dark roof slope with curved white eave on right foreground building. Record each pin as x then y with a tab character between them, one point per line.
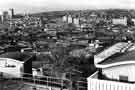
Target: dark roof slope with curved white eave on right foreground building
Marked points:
125	56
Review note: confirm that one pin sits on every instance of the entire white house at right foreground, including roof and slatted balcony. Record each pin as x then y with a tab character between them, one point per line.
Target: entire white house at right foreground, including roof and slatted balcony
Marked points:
116	68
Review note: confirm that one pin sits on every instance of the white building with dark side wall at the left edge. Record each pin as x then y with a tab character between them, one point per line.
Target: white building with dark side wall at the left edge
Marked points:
15	64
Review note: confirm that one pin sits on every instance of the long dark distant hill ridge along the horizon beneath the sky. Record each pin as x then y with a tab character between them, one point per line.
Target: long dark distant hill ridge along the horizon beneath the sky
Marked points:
109	12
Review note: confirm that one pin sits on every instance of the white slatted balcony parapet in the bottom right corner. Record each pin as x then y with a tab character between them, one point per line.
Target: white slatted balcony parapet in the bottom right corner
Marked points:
100	84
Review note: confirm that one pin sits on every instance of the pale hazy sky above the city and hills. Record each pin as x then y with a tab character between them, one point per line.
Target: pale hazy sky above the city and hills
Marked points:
45	5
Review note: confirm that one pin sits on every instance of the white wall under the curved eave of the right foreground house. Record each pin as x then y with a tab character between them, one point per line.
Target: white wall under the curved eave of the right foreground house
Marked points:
123	70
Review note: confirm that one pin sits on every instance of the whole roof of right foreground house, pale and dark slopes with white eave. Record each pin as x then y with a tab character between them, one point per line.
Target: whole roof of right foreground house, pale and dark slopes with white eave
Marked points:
116	56
